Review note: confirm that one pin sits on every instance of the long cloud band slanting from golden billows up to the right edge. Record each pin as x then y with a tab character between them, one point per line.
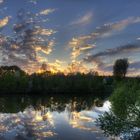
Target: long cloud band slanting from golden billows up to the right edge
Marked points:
83	44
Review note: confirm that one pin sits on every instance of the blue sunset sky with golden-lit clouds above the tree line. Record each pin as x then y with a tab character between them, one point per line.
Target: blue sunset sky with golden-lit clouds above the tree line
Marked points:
70	35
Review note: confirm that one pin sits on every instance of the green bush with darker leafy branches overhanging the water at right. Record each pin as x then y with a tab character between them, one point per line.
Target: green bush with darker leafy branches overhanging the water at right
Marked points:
124	117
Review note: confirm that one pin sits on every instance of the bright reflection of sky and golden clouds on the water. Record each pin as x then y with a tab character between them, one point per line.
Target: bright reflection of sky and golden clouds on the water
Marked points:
52	124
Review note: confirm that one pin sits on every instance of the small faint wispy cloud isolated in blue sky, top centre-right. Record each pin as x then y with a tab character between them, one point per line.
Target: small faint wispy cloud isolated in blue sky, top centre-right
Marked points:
84	20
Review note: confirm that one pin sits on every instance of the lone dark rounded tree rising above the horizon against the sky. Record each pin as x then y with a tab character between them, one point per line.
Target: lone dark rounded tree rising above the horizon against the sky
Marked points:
120	67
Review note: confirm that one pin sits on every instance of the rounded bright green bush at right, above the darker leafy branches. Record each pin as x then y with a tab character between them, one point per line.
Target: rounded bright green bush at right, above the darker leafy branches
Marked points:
126	100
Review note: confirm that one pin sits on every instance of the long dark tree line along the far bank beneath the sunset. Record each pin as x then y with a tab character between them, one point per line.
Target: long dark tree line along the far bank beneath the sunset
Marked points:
45	83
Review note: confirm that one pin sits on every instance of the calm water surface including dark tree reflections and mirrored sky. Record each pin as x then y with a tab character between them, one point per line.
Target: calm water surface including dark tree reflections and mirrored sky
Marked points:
51	118
